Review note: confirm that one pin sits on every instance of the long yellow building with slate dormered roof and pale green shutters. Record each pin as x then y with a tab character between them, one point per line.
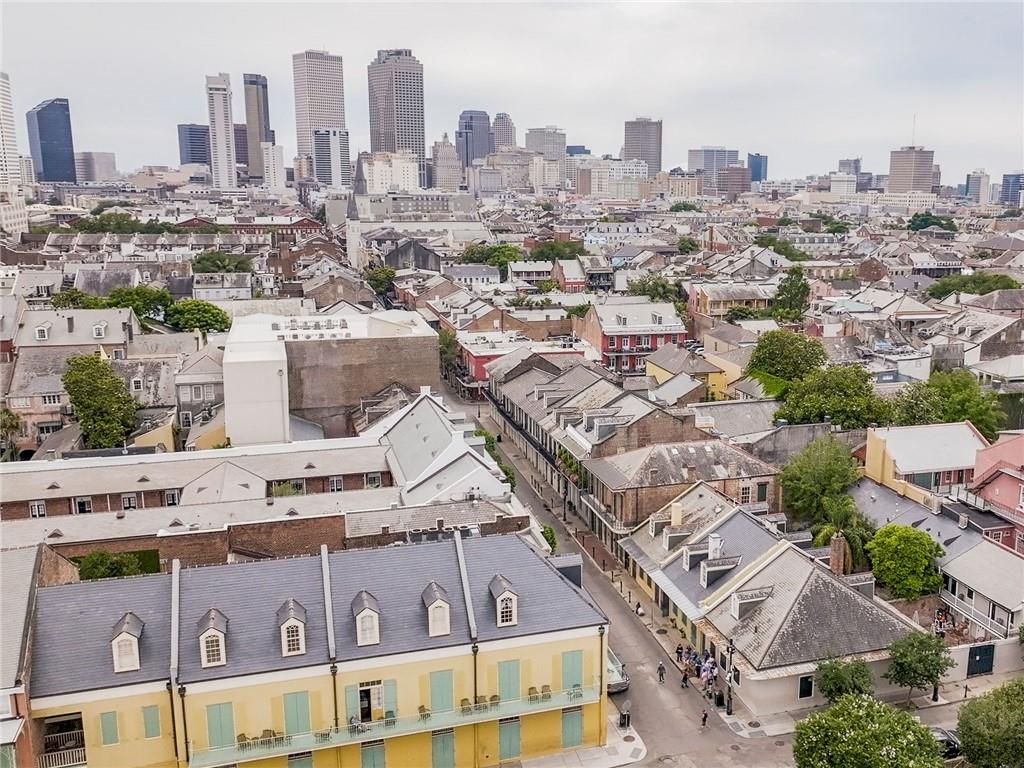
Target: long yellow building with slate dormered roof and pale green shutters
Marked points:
467	652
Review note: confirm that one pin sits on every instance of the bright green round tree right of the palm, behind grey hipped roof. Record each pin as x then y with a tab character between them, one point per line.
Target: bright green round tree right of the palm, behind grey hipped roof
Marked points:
904	560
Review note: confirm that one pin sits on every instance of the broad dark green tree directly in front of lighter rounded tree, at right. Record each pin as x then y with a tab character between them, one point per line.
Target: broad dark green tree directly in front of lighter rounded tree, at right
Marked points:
842	394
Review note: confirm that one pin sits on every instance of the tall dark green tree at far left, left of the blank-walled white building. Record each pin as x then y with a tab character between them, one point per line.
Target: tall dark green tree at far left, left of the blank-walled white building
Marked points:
105	409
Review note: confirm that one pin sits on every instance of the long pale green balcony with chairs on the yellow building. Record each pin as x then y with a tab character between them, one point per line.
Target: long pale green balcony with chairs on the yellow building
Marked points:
327	739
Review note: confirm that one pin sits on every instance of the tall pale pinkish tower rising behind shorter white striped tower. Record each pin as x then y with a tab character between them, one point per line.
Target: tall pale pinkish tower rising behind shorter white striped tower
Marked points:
320	99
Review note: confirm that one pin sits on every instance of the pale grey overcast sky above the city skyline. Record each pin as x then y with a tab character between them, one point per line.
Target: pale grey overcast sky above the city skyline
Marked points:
805	84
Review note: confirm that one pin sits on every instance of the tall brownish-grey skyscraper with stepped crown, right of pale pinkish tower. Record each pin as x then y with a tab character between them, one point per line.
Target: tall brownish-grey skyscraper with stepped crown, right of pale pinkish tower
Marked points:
396	80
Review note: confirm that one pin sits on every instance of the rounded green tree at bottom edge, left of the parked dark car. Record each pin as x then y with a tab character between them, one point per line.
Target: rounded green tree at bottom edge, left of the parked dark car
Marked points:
860	732
